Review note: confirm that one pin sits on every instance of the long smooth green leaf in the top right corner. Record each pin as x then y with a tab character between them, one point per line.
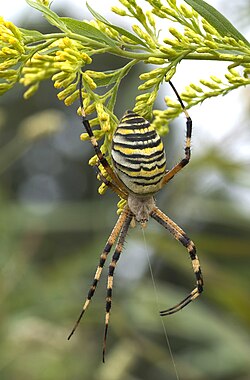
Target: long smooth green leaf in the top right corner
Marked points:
216	19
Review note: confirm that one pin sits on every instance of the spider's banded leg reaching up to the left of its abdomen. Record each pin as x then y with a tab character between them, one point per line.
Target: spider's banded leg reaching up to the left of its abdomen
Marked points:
118	183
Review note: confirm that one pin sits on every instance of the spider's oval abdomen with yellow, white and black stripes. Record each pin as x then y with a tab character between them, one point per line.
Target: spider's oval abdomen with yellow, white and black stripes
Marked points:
138	154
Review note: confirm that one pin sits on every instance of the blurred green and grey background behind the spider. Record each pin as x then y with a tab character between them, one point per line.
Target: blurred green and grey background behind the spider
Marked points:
53	227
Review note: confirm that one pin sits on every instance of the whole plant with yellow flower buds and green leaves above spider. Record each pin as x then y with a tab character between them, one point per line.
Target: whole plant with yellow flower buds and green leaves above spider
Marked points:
196	31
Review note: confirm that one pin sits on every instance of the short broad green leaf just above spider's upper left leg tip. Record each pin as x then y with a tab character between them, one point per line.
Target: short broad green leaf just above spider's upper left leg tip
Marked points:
84	29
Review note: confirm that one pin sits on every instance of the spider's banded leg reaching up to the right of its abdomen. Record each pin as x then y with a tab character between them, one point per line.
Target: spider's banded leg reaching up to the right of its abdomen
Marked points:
171	173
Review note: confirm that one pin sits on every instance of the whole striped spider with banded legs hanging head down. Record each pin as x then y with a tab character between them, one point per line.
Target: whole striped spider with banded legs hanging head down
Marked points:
138	172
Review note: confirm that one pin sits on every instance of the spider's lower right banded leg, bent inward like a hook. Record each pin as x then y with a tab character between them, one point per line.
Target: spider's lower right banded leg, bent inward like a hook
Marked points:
181	236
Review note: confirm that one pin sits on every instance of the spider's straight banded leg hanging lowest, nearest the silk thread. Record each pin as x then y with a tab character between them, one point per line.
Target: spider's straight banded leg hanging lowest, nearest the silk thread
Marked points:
115	258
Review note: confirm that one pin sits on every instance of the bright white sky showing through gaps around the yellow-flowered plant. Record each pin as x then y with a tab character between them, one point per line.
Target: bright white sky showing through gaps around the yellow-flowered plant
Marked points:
215	118
